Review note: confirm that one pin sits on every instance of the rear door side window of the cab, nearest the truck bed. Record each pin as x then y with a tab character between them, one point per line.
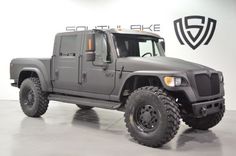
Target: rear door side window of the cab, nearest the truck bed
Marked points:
68	45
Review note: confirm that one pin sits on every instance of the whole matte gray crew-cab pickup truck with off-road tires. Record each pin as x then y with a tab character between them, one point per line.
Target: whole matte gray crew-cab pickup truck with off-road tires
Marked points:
123	70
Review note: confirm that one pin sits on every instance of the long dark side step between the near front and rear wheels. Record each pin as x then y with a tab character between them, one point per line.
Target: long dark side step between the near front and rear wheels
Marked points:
85	101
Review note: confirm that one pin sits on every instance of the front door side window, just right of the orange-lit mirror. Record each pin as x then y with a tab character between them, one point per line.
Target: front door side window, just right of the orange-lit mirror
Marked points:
102	53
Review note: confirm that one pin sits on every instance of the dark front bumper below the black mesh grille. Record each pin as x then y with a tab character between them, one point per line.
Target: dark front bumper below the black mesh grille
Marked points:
202	109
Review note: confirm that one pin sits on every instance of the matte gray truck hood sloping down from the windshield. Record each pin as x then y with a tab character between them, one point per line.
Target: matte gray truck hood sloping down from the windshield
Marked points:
159	63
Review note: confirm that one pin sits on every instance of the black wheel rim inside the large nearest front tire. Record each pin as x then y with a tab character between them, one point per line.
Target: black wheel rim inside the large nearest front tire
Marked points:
146	118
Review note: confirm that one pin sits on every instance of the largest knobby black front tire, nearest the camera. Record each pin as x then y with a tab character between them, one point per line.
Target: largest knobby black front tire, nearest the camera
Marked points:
168	115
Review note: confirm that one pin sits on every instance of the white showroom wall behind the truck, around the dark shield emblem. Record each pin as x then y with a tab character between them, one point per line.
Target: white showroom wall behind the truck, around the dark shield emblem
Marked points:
28	27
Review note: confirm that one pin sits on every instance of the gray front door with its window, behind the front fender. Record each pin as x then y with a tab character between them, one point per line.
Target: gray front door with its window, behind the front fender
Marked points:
98	76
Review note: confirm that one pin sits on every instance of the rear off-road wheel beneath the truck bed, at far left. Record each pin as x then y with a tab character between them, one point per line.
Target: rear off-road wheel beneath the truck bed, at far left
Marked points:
35	104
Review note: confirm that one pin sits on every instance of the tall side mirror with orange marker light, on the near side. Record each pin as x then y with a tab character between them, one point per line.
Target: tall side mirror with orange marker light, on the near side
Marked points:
90	48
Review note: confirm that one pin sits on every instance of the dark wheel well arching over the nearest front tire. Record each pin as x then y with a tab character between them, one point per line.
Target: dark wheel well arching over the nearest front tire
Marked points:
137	81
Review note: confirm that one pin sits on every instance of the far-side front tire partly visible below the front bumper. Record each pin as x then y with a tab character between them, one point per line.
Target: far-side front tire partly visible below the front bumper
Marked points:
204	123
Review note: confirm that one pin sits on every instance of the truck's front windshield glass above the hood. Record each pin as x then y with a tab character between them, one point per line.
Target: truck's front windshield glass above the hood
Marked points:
137	46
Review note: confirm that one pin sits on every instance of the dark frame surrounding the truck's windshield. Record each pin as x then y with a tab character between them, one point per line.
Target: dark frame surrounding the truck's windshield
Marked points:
155	40
